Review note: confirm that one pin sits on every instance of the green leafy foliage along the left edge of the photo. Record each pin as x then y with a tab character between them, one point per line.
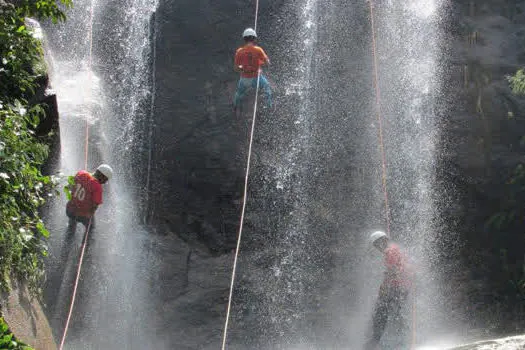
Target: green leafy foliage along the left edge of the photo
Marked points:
22	186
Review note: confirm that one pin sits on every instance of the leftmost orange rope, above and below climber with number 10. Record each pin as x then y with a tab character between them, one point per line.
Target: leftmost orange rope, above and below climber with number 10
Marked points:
86	153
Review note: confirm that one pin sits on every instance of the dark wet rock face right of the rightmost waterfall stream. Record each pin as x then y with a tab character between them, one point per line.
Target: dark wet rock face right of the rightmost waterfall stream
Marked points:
481	145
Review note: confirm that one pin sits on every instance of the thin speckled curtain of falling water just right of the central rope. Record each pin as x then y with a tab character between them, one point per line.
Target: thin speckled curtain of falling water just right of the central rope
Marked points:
281	163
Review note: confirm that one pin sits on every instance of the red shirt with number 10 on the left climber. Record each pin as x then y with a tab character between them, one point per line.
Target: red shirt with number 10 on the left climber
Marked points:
86	193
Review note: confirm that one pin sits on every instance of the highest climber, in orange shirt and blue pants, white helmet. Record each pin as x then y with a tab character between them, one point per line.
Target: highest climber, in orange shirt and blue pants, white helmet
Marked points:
248	61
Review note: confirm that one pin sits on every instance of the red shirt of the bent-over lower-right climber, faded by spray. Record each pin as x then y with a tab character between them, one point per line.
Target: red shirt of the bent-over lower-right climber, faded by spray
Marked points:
397	269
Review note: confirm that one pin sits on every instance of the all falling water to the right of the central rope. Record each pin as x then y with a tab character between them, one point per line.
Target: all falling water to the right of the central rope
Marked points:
329	178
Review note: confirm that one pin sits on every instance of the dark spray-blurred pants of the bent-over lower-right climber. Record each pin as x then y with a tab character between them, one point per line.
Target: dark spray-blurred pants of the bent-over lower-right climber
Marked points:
391	306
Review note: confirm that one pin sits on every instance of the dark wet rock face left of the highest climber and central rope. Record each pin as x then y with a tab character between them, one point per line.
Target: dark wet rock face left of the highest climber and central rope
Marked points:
198	155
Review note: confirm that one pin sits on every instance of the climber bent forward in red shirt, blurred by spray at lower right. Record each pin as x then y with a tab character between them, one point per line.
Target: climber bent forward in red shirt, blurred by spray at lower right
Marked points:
394	291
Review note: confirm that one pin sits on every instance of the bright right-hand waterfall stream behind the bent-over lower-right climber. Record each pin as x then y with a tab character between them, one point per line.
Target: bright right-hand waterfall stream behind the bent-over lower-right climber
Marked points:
407	36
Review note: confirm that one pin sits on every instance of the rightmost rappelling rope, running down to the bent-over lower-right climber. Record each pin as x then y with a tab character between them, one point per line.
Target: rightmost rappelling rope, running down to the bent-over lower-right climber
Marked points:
383	159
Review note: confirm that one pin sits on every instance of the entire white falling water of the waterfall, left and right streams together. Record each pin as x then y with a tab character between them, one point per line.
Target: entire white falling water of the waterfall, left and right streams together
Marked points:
322	172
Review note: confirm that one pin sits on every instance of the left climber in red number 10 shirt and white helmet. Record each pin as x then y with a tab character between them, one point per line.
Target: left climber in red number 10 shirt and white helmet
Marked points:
86	195
